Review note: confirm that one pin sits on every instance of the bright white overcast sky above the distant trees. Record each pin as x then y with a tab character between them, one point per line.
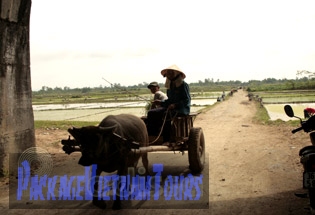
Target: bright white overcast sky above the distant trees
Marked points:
77	43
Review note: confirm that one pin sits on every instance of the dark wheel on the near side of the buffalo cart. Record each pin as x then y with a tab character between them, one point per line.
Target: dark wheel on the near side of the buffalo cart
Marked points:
196	150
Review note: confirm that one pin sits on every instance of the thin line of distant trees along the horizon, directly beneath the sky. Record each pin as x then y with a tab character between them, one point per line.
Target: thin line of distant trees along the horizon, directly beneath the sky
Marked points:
304	80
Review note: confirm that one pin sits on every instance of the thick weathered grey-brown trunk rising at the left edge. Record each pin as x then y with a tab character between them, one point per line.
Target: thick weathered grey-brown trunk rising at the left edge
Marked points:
16	113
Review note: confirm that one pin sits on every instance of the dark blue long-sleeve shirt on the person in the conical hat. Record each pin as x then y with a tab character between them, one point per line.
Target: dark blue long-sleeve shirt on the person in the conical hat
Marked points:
180	96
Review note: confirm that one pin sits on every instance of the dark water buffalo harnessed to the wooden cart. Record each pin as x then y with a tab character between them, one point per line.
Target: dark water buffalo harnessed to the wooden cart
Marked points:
100	146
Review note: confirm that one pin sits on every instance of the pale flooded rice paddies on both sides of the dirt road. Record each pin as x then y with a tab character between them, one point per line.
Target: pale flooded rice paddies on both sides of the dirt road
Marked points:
97	111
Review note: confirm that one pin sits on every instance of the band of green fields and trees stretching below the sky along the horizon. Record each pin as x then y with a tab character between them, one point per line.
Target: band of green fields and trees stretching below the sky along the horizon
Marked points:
116	92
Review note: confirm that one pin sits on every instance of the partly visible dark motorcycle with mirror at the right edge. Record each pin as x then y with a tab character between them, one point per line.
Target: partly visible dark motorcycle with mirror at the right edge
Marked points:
307	155
